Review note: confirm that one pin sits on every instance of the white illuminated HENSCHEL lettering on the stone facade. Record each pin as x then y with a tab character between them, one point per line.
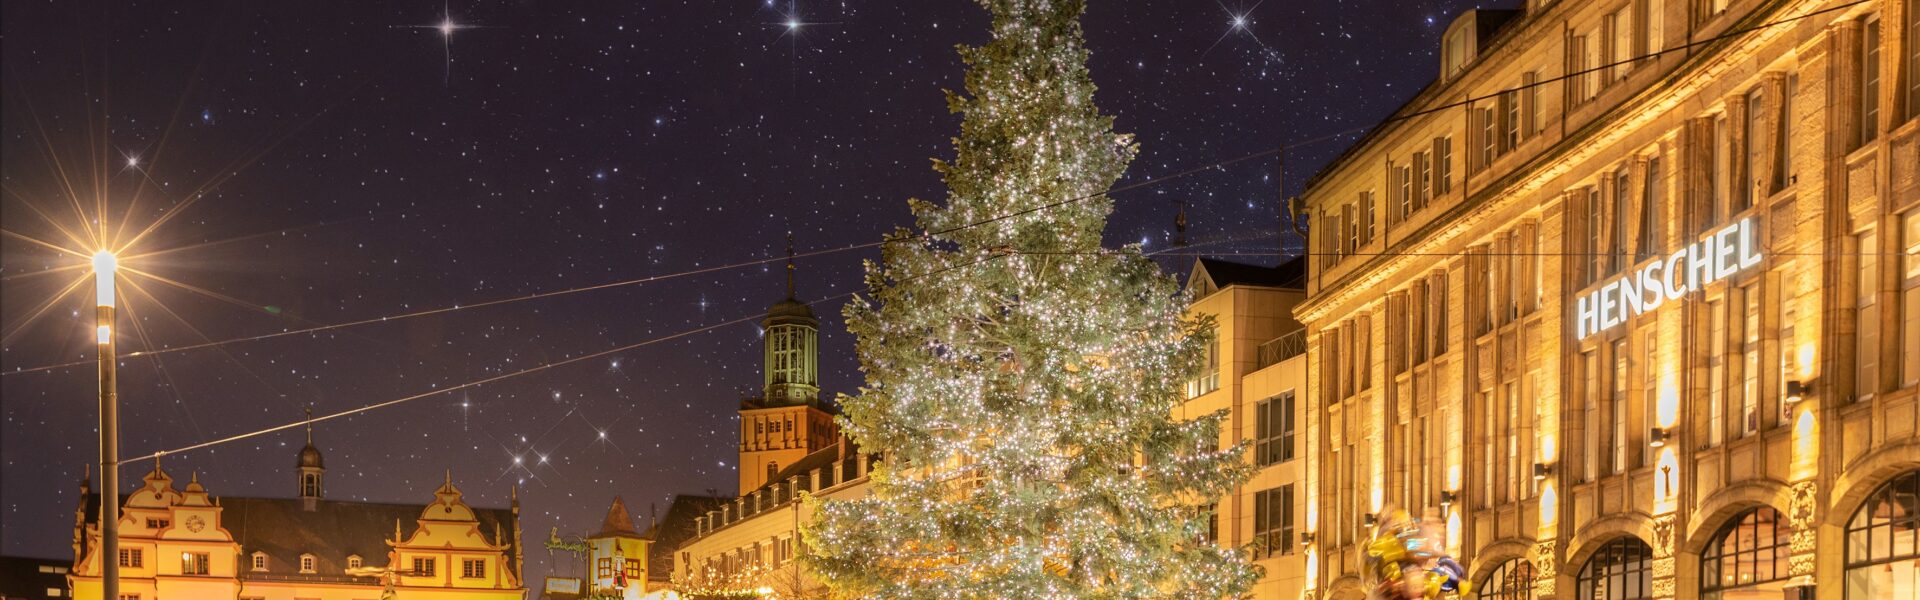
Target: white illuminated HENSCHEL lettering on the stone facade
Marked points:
1708	261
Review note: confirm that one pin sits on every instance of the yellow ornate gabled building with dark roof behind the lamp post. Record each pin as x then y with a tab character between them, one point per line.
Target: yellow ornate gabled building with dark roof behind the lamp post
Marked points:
193	545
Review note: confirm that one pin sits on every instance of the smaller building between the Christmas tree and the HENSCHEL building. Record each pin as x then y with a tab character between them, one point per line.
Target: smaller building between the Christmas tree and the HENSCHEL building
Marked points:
1257	374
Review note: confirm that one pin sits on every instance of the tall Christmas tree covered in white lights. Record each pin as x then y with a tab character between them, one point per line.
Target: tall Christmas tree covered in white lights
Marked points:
1022	380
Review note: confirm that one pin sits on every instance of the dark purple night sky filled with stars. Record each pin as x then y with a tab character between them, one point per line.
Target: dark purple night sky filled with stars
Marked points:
306	164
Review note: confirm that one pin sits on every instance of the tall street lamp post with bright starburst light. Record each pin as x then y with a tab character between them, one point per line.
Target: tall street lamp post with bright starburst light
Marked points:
105	268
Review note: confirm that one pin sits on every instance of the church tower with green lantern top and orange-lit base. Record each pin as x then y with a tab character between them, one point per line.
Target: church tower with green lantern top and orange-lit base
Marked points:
786	422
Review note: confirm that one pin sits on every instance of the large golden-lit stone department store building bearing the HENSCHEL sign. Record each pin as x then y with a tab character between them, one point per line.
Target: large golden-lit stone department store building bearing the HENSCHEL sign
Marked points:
1631	301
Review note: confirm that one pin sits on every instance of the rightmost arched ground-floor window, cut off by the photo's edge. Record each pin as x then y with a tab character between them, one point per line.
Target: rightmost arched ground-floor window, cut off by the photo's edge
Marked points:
1884	541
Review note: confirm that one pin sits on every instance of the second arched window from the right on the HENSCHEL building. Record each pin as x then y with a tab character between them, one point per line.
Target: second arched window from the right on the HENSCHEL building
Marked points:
1748	555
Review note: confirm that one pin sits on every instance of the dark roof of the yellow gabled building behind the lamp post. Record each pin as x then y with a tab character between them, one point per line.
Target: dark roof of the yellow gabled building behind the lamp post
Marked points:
335	530
